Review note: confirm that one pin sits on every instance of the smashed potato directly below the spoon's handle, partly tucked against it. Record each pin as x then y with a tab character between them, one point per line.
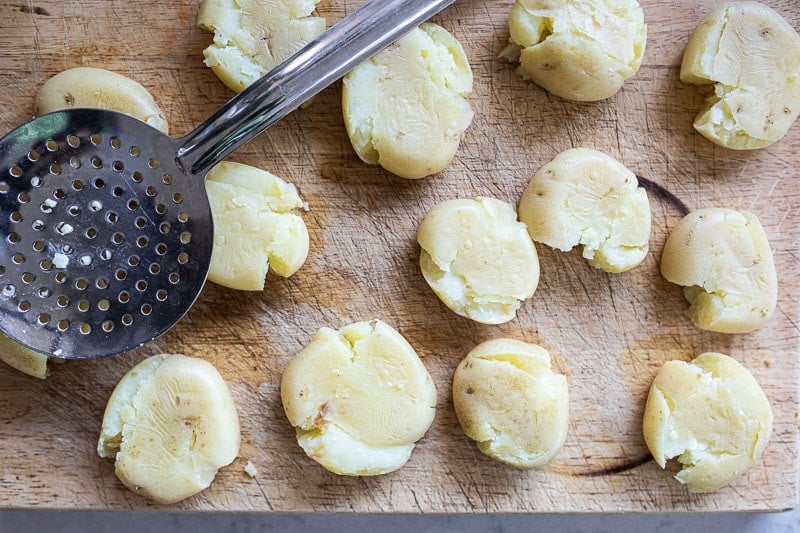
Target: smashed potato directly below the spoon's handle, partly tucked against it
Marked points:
405	108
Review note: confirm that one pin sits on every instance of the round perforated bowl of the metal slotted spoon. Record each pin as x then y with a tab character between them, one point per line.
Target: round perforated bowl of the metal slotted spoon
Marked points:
101	249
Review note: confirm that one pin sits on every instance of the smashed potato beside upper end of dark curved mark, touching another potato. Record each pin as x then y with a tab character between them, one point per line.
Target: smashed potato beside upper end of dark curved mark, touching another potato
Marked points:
587	198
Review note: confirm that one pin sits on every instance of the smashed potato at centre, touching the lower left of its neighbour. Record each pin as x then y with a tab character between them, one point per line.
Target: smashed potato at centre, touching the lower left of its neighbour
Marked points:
478	258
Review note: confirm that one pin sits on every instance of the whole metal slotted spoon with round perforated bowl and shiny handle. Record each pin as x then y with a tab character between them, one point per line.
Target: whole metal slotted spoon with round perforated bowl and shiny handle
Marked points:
105	227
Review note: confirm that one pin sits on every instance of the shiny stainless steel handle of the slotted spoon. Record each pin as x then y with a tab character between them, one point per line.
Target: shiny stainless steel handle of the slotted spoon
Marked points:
324	60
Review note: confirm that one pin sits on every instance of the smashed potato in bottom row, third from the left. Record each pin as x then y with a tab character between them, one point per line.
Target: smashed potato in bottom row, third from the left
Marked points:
509	400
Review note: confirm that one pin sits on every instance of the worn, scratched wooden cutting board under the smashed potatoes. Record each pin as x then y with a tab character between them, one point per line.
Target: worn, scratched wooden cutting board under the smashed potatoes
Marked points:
608	333
